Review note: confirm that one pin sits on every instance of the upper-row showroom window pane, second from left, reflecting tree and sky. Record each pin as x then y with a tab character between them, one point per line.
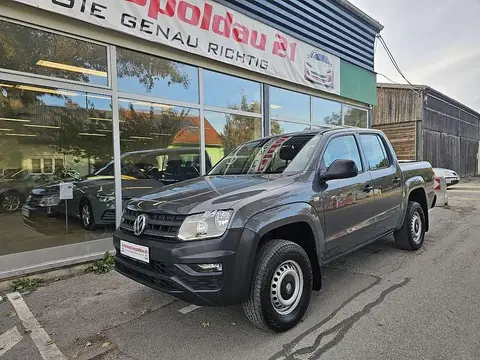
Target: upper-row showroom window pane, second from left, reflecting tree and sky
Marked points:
144	74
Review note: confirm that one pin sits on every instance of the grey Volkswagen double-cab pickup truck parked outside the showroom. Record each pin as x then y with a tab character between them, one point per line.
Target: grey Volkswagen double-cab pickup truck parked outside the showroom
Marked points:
257	229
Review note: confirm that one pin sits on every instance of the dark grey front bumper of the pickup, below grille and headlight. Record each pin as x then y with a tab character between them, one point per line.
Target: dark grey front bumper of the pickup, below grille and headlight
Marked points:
169	270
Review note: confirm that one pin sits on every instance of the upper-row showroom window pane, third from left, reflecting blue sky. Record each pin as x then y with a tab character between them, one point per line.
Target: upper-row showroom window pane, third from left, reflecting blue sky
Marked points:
231	92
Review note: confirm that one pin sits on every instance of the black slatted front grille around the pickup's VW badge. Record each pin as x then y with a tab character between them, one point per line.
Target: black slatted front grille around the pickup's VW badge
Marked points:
163	227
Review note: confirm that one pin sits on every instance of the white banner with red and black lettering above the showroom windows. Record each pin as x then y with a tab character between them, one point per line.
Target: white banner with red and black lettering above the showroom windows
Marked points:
209	29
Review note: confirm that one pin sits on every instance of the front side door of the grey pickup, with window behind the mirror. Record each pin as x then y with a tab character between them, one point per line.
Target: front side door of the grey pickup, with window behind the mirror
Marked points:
347	204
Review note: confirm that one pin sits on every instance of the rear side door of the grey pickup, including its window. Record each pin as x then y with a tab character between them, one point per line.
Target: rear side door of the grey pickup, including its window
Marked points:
386	181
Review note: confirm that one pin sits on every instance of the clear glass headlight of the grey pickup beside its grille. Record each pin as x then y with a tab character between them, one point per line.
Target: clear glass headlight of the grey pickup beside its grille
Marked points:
210	224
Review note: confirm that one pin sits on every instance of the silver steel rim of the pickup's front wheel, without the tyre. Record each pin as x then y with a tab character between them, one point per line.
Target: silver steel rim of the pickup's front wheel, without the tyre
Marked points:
286	288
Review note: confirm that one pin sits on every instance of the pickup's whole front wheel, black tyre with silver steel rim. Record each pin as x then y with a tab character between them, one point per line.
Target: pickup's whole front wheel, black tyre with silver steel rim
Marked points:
281	286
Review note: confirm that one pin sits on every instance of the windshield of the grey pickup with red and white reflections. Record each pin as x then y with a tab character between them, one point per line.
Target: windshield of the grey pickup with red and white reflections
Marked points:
285	153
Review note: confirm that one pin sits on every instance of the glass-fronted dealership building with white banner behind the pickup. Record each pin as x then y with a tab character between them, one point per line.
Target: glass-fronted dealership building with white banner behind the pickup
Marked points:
123	96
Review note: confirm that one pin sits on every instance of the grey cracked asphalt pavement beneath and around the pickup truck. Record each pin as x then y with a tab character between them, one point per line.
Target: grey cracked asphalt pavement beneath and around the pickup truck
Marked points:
378	303
